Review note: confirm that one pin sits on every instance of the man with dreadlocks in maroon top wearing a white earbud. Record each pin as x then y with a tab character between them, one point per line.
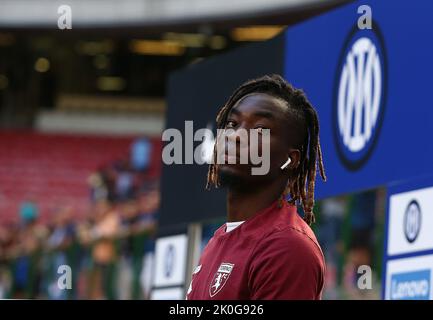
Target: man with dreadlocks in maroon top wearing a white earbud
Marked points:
266	250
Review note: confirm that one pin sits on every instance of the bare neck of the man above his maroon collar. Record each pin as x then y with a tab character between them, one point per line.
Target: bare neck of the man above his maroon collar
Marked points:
244	205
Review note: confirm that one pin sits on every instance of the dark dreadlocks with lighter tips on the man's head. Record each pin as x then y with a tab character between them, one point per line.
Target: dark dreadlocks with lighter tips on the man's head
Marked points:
301	186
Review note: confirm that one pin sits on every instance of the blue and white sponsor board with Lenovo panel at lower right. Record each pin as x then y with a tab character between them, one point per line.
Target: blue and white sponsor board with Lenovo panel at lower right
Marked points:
408	248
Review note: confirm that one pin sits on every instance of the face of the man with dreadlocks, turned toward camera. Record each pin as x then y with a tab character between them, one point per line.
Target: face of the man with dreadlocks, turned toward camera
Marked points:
256	112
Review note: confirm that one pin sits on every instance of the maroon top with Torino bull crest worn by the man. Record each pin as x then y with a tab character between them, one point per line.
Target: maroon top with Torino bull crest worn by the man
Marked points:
272	255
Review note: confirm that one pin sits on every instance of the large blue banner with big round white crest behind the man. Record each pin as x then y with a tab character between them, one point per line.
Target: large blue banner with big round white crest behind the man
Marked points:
371	88
